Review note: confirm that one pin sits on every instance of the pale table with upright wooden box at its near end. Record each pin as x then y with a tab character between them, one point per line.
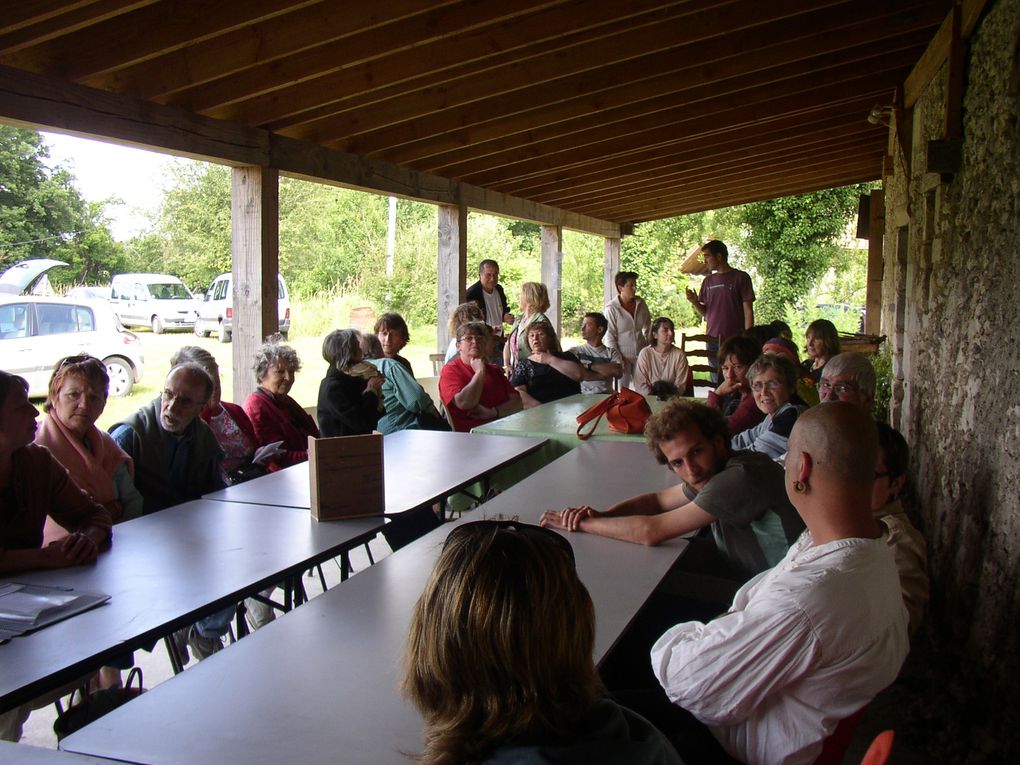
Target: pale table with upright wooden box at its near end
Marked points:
421	468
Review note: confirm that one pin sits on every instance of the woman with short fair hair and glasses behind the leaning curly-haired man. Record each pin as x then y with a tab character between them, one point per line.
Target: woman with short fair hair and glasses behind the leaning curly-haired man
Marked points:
774	382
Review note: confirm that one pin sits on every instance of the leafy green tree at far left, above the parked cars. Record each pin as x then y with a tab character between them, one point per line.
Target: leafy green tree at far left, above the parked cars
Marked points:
42	216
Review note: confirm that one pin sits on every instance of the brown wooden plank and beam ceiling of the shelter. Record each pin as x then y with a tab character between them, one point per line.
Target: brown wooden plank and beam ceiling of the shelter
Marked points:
588	115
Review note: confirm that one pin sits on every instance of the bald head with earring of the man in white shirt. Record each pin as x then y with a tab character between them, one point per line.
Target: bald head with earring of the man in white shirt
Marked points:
843	442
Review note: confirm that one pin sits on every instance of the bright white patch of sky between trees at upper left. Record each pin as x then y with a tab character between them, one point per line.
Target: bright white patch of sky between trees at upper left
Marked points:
103	171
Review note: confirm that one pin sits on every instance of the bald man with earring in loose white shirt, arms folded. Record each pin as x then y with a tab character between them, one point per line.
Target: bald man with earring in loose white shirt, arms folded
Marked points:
811	641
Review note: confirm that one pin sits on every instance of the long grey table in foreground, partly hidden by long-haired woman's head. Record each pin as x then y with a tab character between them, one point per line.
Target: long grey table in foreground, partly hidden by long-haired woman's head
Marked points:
321	685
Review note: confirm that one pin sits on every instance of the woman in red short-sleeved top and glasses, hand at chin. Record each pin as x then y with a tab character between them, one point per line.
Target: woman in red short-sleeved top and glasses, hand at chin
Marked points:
474	391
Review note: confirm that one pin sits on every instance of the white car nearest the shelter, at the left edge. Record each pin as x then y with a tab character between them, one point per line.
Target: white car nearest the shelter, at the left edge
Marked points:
36	333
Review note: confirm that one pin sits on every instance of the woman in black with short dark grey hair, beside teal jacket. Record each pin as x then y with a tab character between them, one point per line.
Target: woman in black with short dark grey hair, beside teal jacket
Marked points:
350	400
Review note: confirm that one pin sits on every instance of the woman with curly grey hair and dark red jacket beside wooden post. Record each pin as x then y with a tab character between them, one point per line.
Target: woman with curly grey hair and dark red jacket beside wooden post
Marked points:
275	416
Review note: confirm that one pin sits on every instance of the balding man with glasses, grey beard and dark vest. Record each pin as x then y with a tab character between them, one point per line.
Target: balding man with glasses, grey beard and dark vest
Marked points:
177	456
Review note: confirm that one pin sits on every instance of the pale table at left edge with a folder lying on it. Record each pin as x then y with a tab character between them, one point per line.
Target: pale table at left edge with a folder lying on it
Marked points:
165	572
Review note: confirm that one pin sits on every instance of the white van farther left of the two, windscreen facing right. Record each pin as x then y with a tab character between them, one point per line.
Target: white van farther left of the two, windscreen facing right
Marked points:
157	300
